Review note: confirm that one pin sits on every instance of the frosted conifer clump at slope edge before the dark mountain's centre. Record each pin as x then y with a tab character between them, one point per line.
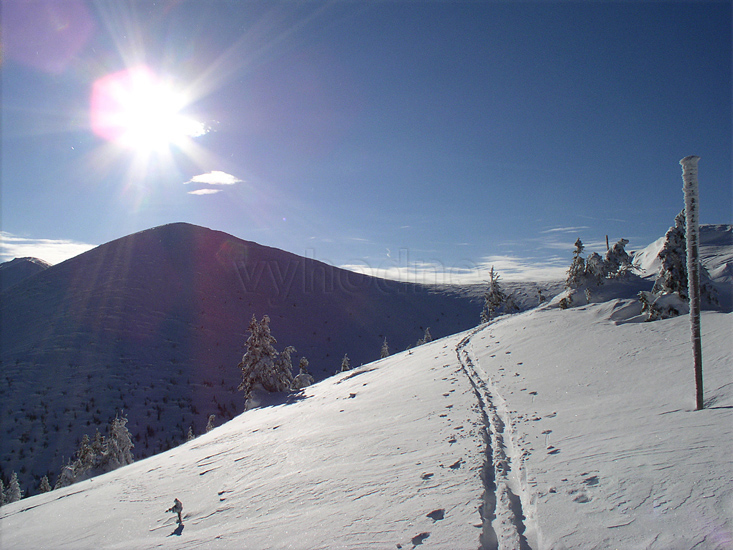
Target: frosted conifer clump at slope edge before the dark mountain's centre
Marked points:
261	364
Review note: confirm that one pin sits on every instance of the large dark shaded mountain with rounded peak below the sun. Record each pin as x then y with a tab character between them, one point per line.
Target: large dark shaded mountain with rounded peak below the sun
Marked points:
154	324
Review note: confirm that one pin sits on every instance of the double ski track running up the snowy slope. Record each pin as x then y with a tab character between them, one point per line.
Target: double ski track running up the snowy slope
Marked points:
505	497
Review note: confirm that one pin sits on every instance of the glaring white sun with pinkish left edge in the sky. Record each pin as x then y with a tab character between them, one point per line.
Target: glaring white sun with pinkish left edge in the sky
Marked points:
138	110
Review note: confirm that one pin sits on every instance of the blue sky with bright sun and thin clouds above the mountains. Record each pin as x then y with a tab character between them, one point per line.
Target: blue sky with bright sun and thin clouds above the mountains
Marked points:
425	137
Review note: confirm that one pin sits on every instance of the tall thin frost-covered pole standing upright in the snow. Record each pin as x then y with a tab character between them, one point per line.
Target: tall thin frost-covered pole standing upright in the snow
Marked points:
692	236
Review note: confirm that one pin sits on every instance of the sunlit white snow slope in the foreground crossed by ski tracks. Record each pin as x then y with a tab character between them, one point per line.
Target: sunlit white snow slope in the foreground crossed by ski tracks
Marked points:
582	427
